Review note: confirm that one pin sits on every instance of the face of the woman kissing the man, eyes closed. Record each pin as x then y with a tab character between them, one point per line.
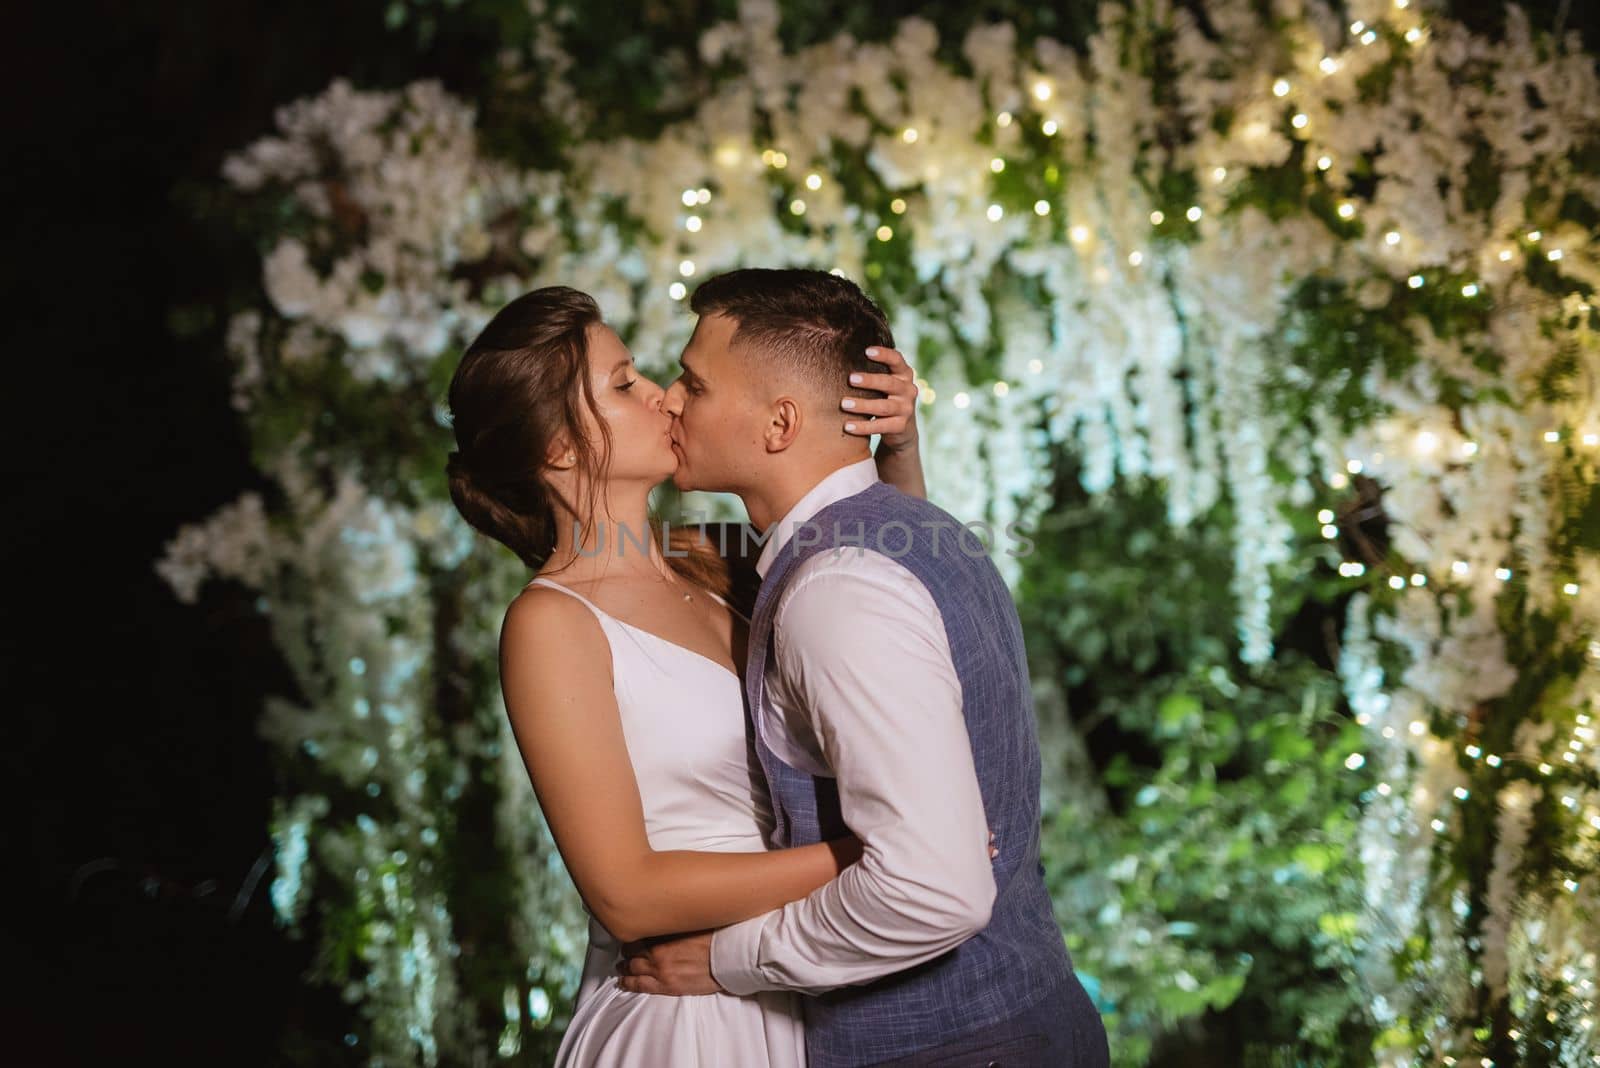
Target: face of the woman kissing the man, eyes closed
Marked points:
631	407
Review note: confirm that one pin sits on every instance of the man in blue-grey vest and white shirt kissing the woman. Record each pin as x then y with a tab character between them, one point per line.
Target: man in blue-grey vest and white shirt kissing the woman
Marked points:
890	699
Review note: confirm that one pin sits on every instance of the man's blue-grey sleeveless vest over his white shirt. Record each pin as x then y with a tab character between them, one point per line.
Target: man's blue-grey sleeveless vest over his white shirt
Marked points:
1020	957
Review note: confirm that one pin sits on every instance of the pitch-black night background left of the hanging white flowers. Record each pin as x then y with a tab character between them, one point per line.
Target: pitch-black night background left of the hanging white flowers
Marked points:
142	787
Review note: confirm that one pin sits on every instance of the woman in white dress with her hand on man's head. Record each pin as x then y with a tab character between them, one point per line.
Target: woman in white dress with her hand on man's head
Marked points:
620	667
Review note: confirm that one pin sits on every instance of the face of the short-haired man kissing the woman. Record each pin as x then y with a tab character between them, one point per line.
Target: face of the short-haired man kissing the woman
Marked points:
716	421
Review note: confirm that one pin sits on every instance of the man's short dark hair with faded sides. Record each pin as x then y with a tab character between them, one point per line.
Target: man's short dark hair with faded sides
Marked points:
820	324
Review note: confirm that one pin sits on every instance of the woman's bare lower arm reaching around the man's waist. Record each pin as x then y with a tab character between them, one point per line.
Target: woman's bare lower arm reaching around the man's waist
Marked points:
559	693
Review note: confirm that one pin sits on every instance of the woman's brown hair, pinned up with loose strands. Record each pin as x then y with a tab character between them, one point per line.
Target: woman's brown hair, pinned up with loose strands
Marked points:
521	385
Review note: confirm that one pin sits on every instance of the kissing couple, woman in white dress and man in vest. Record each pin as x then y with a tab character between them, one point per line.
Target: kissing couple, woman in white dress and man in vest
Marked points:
804	835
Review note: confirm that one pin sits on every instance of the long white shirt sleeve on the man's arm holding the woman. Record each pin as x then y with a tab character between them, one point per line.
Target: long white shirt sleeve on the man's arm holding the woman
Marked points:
863	664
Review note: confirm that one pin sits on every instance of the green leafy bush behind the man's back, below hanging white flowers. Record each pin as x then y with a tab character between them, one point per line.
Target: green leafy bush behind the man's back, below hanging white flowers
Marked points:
1206	879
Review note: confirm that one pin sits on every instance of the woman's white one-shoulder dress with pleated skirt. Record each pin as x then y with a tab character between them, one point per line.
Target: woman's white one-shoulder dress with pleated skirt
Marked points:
703	791
